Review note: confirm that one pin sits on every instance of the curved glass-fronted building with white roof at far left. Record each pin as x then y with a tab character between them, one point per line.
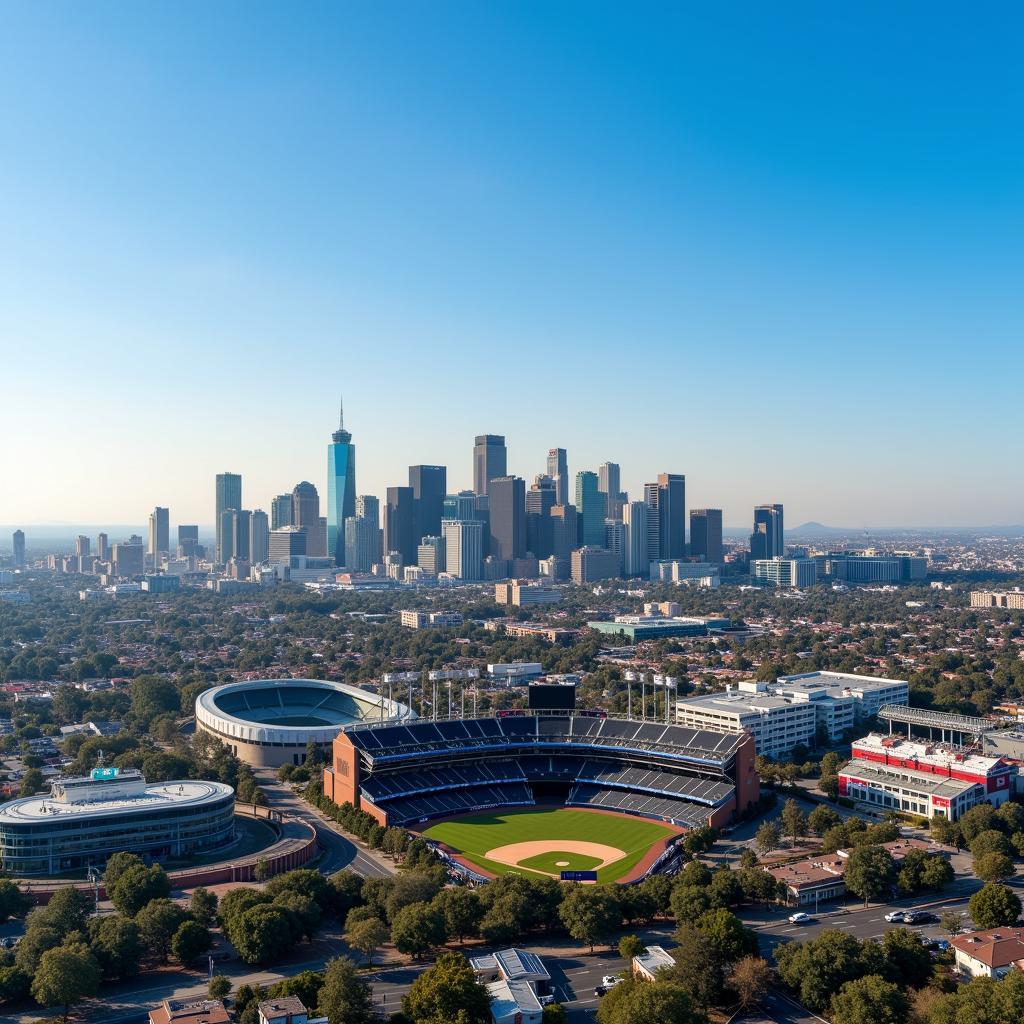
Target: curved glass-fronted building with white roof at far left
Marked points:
86	820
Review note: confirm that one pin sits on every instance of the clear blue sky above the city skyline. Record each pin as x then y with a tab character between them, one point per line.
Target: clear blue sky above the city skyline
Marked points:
778	248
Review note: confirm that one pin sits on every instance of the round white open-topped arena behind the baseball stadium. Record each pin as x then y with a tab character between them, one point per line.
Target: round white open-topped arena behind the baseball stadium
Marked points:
270	722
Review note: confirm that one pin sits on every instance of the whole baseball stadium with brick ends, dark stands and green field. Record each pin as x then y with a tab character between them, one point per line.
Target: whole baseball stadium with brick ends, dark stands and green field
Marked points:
545	794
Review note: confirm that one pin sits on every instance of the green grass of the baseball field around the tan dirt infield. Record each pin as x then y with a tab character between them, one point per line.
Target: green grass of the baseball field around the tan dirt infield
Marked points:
476	837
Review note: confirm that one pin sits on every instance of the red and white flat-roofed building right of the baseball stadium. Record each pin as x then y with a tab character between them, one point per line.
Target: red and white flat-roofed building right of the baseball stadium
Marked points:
930	780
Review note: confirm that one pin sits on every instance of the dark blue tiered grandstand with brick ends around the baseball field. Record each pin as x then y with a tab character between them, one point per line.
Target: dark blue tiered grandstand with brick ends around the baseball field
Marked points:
422	771
